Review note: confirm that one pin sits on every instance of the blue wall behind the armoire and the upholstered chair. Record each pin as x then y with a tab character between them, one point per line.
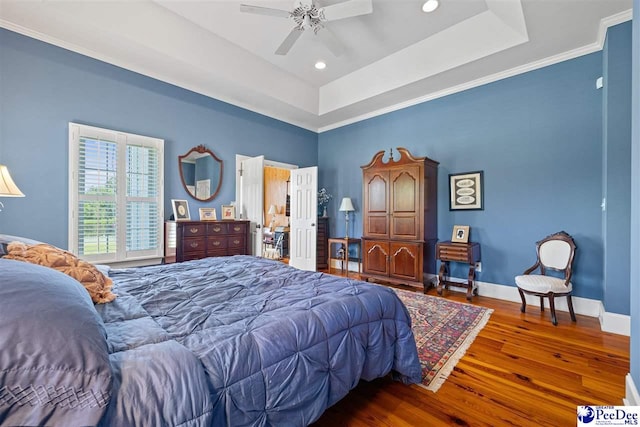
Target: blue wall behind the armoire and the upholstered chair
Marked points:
538	139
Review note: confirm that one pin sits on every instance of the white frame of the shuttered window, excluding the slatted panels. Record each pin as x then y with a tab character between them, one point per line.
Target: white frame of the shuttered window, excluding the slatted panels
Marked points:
123	140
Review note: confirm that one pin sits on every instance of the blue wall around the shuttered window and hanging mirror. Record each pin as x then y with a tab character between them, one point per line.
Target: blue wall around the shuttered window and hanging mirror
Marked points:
43	88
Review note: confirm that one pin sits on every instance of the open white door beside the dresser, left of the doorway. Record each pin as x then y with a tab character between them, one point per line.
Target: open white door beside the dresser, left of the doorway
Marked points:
250	198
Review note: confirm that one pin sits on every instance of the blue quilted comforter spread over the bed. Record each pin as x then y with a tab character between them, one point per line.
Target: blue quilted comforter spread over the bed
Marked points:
244	341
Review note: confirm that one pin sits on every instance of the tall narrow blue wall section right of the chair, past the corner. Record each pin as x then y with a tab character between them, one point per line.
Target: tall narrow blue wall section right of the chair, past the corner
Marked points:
617	167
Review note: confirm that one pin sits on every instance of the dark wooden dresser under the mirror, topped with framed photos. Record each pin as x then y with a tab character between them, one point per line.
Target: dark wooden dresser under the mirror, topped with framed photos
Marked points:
200	239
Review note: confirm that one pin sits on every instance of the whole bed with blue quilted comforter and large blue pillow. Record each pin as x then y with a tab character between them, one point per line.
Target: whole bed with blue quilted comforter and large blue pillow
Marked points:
229	341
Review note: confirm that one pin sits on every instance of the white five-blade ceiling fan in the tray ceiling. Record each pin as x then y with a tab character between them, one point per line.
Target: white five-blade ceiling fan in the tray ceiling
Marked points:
309	16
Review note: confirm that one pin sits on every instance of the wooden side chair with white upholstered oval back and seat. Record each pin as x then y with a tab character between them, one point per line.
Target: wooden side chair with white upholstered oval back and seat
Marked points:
555	252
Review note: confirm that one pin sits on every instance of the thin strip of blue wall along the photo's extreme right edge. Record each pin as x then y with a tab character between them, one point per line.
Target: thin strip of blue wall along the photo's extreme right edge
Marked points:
635	198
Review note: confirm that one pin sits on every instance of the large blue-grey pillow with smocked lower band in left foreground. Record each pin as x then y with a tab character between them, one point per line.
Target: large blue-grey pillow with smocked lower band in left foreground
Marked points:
54	361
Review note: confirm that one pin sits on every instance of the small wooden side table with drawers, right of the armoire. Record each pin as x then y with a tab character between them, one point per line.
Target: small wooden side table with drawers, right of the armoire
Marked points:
467	253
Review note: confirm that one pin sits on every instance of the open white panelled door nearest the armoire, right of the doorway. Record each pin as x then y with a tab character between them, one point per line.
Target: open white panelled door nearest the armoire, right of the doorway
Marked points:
304	216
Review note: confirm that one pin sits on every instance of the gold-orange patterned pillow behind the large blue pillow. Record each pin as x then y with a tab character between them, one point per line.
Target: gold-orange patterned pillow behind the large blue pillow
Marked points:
96	283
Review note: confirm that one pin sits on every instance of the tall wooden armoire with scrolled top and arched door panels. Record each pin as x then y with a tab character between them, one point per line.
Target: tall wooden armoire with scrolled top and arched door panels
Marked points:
400	222
